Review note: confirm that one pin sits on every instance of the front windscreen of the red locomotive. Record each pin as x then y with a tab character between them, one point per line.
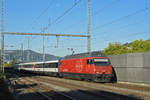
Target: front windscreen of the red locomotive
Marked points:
101	62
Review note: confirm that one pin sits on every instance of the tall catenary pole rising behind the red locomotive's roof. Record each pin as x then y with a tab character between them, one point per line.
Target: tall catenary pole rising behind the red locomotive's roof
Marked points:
89	34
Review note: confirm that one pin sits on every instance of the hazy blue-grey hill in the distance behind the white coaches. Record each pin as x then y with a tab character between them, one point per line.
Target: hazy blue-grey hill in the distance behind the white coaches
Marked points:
33	57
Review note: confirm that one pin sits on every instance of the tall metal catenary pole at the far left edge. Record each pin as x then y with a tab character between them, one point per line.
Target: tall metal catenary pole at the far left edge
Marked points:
2	36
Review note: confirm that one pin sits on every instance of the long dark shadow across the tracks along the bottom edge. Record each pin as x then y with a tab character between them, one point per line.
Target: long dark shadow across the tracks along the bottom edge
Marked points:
77	94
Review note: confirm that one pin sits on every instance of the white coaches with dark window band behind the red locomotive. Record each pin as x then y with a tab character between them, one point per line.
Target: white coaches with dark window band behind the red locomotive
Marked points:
46	68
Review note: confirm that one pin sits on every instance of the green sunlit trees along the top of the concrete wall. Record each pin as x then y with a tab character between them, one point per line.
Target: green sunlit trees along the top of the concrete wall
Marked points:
135	46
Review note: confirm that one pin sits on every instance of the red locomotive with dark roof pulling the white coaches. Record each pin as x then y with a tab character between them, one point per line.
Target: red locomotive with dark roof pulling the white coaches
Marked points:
86	67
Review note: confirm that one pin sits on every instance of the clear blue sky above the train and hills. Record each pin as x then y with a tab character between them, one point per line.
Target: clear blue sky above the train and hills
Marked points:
111	21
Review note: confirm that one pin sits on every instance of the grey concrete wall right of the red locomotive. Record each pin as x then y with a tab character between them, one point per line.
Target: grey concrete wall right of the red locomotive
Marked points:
133	67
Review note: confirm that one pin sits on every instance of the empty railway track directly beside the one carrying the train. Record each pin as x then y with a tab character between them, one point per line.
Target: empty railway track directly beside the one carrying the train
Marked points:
95	93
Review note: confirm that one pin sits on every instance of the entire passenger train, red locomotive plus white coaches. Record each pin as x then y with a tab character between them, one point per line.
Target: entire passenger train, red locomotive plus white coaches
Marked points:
93	66
